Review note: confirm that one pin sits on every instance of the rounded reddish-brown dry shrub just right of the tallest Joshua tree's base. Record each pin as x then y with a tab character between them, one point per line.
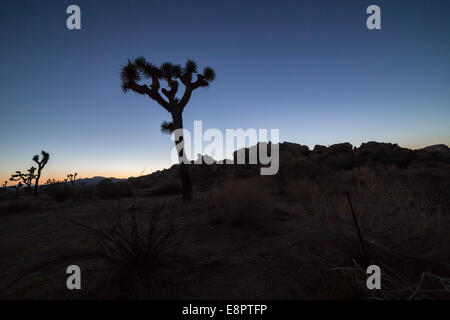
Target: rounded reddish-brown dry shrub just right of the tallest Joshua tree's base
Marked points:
238	202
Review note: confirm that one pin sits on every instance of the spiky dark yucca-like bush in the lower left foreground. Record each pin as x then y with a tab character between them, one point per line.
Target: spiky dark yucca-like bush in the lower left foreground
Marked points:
135	245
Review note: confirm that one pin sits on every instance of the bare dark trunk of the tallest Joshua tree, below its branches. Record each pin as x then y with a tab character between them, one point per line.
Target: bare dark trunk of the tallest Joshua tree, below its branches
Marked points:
182	159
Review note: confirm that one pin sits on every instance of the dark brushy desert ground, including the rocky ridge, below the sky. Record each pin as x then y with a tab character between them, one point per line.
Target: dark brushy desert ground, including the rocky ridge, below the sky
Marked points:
244	236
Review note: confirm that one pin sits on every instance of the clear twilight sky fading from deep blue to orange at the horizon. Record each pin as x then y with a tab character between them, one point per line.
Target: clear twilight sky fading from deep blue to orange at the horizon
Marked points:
310	68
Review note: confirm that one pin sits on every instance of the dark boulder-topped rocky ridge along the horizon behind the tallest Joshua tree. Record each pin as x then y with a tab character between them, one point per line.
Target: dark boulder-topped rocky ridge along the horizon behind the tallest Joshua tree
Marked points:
296	157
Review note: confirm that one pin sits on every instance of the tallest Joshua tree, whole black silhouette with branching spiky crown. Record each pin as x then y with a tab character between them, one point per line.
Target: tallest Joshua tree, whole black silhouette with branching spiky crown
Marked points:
134	71
